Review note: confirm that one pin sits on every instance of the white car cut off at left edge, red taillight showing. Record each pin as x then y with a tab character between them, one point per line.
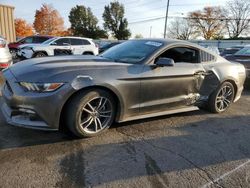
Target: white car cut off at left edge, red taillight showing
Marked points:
5	56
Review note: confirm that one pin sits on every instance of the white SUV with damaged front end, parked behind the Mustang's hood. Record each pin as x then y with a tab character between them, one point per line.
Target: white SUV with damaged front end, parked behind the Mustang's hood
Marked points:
59	46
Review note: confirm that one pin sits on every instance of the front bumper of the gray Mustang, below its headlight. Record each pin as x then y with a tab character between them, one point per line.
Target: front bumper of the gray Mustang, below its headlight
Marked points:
32	110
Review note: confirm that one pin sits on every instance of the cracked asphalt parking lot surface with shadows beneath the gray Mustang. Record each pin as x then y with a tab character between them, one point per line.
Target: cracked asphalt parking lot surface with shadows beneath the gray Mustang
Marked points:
193	149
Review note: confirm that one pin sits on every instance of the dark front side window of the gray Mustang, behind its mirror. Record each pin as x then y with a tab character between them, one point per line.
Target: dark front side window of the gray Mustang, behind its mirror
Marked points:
182	54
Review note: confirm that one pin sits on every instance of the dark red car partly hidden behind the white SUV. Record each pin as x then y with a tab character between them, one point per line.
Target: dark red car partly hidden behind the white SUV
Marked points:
36	39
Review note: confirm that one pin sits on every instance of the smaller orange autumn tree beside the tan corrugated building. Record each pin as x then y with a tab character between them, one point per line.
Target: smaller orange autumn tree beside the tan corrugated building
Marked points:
23	29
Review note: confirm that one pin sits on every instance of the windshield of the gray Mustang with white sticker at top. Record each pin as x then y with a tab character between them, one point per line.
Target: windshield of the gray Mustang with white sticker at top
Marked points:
132	51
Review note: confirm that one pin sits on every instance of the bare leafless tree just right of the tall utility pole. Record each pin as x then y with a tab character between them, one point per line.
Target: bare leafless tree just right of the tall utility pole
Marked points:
180	28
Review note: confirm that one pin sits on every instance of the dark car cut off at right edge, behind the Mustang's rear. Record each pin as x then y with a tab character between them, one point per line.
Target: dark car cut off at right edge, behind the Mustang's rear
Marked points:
243	57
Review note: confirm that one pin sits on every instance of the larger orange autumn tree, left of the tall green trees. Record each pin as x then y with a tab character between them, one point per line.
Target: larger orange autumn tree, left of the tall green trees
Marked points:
48	21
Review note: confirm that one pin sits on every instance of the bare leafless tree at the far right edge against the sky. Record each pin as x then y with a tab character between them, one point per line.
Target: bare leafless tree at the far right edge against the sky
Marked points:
237	14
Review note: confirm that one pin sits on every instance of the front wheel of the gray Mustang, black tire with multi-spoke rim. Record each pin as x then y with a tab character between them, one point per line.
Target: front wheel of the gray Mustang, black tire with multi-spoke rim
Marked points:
76	115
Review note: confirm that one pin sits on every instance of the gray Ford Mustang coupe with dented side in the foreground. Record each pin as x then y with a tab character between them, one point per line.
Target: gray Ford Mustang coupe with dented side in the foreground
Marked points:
136	79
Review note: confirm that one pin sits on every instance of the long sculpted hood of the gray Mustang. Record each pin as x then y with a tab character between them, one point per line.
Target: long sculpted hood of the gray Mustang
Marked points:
62	68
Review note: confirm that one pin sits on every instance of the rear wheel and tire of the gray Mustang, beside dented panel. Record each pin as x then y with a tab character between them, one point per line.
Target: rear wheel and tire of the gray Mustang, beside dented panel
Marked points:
221	98
